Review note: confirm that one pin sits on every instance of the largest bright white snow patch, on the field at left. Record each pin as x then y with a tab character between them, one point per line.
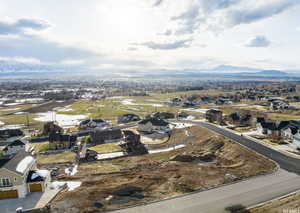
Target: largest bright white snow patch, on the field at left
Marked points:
61	119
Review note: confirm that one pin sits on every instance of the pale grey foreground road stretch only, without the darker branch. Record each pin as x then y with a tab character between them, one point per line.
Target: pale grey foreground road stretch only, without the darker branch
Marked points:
246	193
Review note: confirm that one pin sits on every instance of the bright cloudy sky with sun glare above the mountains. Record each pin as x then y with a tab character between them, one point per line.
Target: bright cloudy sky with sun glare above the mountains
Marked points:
151	34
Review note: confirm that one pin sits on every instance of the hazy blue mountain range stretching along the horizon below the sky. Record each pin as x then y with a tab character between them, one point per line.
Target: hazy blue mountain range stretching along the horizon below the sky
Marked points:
28	69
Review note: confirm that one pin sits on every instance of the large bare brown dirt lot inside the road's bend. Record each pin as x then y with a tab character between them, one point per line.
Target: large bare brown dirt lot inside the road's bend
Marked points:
206	161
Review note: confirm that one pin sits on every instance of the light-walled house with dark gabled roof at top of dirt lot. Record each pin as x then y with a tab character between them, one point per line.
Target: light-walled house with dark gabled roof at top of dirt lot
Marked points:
153	125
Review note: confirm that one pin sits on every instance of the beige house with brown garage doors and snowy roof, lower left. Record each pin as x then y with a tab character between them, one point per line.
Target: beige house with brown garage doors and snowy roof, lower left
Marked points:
20	176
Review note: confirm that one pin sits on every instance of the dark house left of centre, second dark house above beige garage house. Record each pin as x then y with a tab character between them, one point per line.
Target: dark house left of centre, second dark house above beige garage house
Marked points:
61	141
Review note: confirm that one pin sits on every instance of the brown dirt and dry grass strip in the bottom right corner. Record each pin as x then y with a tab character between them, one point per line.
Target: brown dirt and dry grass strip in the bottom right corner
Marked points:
287	204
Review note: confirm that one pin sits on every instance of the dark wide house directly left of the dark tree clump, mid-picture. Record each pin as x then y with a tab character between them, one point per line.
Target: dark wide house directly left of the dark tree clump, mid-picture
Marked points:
106	136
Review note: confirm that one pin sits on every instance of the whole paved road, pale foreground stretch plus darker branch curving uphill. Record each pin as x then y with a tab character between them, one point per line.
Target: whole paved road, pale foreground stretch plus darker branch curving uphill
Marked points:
247	193
